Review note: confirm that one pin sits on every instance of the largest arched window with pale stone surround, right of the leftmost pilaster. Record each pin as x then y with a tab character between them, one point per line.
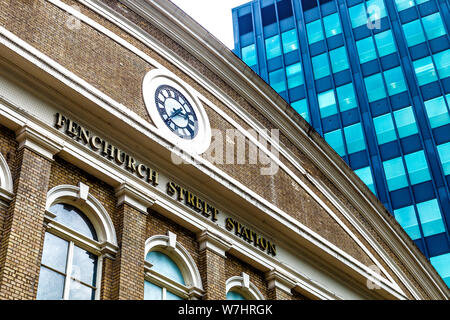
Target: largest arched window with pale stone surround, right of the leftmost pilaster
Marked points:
74	245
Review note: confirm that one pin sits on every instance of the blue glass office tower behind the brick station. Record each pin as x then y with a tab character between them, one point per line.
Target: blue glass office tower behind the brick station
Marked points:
373	78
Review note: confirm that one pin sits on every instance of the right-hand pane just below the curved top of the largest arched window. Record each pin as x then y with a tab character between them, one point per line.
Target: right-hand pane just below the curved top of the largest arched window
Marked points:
84	266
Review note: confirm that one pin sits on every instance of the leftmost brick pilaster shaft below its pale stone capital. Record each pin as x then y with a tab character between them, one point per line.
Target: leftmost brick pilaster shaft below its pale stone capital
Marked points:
21	247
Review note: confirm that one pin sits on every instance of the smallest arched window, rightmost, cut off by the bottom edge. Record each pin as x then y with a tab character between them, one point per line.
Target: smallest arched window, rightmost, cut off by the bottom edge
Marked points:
240	288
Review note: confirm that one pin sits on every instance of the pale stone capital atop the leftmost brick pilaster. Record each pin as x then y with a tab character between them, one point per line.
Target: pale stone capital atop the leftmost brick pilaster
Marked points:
36	141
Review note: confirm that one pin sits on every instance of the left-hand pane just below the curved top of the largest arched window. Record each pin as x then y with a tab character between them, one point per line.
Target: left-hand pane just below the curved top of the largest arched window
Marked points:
55	252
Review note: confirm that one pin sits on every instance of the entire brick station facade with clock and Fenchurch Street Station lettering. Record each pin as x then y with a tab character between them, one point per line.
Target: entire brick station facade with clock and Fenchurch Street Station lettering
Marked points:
94	178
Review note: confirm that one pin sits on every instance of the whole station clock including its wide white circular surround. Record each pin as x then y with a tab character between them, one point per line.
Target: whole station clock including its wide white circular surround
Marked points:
176	111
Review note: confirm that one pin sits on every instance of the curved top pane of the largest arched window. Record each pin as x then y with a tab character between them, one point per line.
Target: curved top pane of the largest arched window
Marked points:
74	219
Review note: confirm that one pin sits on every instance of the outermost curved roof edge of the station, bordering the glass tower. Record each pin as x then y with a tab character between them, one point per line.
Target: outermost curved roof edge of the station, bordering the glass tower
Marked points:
220	59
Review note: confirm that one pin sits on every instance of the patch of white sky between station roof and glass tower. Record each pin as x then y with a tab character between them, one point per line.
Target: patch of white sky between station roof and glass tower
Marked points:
213	15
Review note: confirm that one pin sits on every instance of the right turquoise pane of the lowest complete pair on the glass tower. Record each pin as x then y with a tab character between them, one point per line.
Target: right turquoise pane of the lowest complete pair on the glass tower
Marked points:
430	217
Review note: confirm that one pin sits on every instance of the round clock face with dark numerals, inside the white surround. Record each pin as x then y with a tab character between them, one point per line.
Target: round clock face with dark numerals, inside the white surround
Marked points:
176	112
